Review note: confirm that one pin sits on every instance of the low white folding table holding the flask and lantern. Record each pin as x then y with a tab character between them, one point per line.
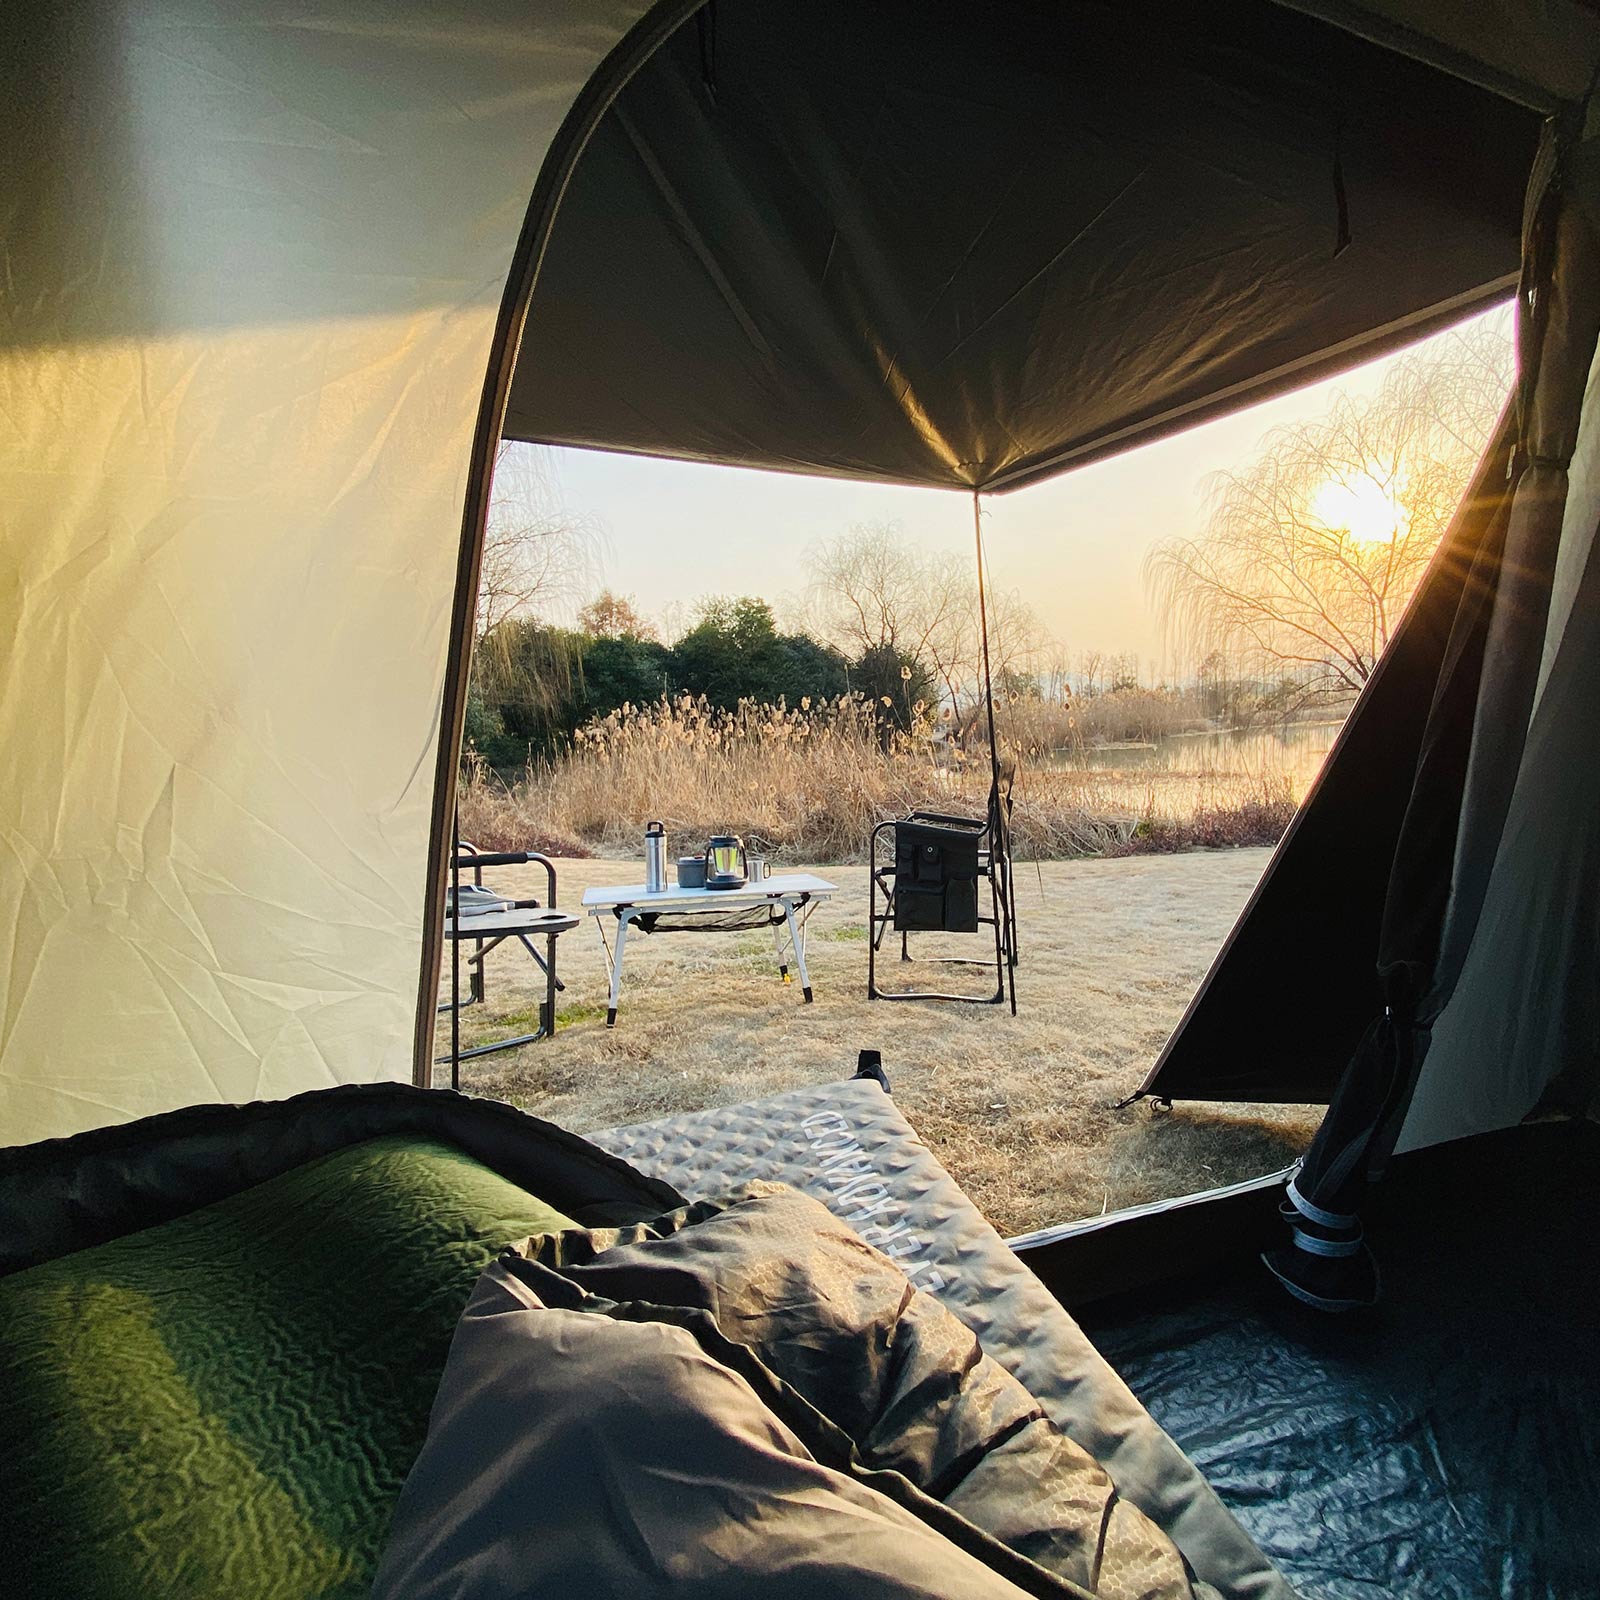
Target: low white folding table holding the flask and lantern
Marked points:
782	903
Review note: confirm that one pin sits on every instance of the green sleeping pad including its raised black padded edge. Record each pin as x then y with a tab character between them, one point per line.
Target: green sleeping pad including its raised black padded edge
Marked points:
222	1330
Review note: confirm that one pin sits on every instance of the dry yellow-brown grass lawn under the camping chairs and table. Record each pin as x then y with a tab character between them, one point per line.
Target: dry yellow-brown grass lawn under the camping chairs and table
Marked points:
1018	1110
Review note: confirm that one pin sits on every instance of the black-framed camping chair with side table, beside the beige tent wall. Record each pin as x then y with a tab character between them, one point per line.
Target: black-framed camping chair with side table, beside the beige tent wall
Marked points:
487	921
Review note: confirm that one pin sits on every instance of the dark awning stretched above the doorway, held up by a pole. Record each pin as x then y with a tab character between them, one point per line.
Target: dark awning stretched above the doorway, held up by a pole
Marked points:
926	244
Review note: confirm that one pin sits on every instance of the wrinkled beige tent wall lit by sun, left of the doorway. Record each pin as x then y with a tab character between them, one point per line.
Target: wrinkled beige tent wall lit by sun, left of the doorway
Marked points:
254	257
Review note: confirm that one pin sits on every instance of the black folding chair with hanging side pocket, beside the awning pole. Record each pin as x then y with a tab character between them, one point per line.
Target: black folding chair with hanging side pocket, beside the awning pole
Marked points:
929	881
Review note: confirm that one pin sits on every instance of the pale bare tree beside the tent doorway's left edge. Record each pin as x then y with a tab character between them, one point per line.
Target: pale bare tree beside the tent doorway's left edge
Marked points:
537	553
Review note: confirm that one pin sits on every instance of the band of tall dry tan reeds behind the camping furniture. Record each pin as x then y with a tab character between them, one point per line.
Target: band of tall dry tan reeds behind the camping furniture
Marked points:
810	783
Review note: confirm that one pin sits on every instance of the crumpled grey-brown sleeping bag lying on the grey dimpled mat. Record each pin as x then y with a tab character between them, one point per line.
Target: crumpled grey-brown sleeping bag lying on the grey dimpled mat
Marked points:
746	1399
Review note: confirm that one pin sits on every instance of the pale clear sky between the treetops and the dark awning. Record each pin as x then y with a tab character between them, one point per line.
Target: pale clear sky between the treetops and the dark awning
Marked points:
673	532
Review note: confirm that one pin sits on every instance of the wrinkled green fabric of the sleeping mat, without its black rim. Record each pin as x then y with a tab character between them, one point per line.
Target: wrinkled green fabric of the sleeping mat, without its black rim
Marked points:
228	1404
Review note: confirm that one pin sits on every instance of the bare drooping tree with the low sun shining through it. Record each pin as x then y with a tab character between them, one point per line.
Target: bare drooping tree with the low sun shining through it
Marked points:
1313	551
